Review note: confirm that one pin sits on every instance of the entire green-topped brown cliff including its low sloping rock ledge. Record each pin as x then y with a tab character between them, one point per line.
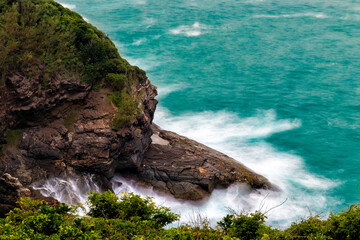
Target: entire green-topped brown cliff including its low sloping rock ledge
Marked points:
70	104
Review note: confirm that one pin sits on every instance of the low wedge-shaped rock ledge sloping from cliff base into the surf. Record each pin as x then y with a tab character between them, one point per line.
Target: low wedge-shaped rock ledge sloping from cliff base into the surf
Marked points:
190	170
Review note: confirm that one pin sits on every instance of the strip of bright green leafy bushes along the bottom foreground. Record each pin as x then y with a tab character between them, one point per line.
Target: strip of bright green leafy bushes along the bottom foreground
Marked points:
133	217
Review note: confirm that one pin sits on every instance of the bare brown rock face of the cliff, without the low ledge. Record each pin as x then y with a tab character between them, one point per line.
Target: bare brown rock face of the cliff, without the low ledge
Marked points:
66	129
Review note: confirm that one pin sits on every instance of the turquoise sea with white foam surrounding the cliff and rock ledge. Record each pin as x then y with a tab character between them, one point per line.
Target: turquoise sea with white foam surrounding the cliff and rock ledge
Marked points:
273	83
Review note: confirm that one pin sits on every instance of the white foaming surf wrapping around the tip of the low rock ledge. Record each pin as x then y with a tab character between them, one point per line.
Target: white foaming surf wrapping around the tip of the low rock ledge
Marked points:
244	139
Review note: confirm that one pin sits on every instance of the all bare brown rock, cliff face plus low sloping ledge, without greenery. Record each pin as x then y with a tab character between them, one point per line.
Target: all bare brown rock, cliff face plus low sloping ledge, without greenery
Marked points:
72	134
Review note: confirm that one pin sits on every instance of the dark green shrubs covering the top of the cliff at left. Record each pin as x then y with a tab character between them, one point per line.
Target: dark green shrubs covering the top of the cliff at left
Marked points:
41	40
